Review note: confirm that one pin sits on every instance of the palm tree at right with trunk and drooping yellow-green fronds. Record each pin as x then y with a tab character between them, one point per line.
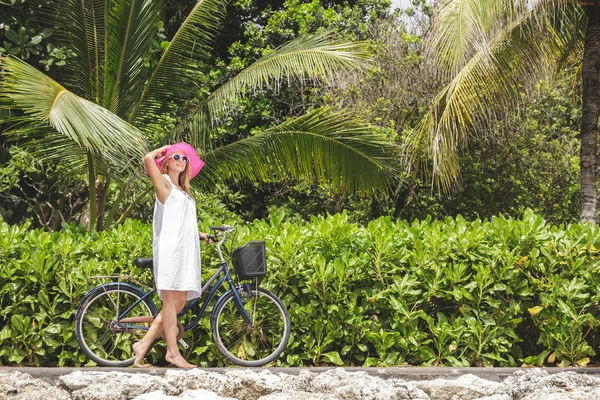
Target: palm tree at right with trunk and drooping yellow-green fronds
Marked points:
486	49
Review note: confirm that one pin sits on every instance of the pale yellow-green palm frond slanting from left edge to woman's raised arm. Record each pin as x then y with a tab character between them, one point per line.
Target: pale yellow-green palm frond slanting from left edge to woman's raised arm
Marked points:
85	123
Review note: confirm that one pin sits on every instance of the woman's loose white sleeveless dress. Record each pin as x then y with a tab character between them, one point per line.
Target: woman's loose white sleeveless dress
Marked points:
176	245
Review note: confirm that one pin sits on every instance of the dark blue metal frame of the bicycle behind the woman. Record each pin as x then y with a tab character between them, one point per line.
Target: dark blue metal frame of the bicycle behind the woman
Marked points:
224	268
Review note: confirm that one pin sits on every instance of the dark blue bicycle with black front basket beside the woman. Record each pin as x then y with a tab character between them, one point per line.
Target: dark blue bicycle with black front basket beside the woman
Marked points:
250	325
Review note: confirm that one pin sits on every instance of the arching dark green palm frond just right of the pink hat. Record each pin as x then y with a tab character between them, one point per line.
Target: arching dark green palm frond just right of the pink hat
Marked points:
330	148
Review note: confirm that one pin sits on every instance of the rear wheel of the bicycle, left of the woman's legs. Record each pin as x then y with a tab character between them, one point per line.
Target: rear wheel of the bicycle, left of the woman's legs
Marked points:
93	320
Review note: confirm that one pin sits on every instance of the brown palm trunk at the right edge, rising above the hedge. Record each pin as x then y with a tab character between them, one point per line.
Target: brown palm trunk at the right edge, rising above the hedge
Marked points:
589	117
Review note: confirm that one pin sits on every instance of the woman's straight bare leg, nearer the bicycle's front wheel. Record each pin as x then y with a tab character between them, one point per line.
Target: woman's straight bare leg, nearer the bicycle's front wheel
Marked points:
173	302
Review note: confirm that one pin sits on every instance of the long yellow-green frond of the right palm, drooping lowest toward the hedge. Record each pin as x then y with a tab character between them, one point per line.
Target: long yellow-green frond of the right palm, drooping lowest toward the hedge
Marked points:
488	82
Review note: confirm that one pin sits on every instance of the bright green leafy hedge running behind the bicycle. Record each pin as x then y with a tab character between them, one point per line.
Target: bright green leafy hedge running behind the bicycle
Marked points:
499	292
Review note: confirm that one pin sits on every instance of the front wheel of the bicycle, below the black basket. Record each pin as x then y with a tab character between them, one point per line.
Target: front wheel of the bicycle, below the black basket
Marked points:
257	343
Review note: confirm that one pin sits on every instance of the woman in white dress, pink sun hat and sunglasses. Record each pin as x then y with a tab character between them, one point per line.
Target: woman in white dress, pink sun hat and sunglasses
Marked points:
175	245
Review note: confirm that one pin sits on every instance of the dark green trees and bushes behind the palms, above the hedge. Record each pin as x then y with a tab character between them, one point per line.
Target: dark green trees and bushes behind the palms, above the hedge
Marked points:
521	157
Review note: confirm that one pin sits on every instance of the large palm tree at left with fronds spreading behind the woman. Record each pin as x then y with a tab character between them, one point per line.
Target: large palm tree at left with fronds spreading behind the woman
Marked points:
116	88
